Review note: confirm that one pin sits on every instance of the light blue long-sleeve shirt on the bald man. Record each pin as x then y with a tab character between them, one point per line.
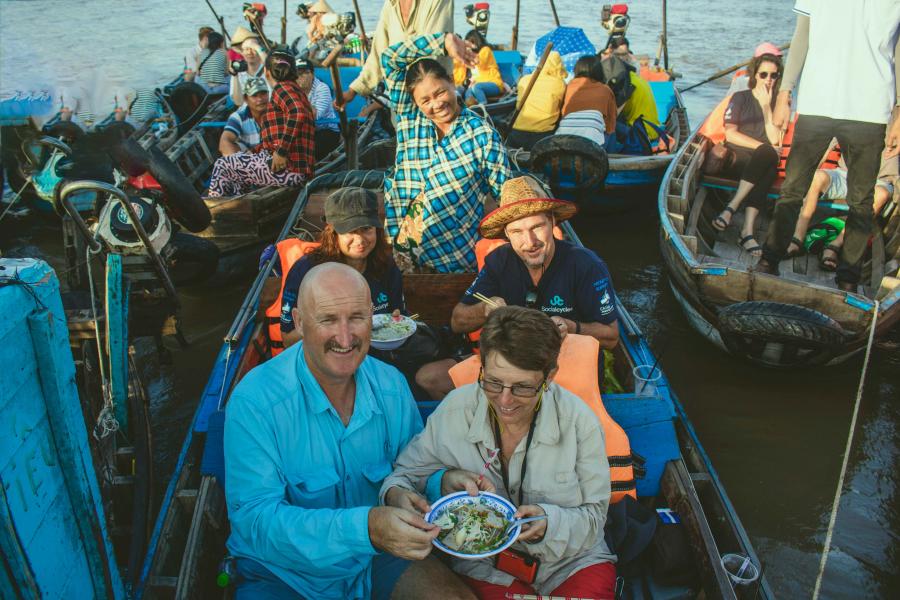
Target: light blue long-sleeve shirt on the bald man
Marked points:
299	484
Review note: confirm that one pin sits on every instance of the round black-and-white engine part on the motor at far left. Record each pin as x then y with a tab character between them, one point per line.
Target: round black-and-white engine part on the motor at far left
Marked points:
114	226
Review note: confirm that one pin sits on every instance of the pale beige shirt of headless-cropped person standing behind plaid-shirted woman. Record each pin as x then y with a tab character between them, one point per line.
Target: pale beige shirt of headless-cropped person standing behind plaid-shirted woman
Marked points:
427	16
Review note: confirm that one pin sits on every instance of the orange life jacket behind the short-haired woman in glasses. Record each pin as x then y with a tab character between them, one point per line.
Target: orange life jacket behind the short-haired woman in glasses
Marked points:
577	373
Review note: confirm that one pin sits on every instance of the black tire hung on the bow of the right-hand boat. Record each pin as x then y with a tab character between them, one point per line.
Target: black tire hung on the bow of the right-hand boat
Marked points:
807	337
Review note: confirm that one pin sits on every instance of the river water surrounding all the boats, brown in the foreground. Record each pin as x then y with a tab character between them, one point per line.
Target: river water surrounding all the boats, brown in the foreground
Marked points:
776	438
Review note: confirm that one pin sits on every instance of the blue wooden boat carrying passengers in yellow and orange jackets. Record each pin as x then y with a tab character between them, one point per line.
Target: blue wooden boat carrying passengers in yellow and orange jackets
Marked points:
579	170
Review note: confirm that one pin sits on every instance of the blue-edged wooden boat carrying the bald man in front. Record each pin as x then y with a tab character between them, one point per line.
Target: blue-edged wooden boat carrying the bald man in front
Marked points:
187	544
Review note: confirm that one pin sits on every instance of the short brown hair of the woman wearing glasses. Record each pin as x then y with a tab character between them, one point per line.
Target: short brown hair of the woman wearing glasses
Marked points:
525	337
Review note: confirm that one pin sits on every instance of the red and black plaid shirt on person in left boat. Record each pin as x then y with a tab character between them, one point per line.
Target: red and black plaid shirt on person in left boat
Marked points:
288	124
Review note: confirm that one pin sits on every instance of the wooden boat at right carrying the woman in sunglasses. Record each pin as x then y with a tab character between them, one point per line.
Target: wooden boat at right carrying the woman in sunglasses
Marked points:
796	319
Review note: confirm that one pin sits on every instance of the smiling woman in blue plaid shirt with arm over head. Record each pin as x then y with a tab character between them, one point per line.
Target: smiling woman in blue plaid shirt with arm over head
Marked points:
449	162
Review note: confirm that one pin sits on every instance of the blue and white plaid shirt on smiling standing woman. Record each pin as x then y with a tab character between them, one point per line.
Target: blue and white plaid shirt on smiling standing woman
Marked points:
456	174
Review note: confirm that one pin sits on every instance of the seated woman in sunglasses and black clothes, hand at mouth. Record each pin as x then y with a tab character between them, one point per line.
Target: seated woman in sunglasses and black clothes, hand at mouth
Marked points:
756	143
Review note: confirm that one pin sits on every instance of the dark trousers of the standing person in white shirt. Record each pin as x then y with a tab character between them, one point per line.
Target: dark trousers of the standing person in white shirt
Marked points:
861	145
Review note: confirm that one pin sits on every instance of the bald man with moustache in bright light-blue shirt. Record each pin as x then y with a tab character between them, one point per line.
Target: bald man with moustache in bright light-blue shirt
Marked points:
309	437
